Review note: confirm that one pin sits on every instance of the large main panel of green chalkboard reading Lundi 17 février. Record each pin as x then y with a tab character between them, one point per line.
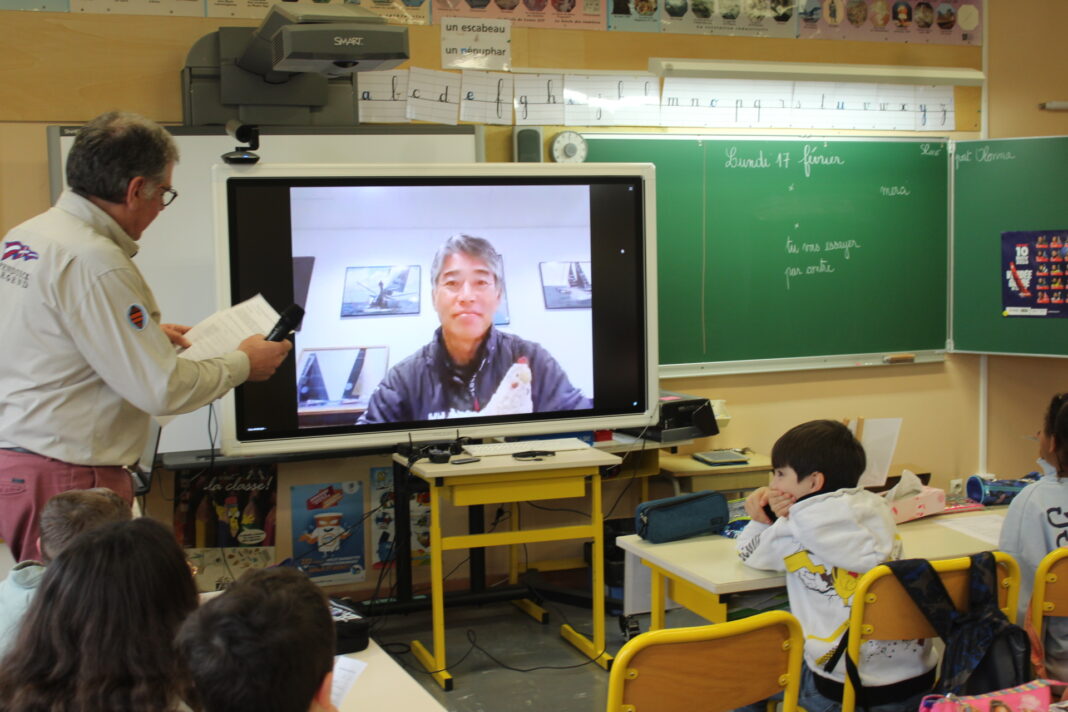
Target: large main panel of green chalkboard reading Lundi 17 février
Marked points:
787	249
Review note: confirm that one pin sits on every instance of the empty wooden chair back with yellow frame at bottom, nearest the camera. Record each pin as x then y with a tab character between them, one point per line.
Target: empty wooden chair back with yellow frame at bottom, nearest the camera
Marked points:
710	669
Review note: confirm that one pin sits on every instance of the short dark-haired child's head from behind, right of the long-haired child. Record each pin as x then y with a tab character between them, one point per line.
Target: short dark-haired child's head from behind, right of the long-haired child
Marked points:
266	644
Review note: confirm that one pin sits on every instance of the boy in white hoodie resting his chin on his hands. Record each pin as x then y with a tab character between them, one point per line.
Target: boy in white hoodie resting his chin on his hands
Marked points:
824	532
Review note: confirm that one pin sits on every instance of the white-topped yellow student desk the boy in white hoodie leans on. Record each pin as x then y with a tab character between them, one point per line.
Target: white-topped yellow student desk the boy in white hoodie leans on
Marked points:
697	573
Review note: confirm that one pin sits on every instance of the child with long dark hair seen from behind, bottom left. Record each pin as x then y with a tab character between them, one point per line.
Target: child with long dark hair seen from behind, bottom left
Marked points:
100	635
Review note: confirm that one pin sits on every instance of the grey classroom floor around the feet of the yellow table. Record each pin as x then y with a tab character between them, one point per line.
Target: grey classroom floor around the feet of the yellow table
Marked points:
483	643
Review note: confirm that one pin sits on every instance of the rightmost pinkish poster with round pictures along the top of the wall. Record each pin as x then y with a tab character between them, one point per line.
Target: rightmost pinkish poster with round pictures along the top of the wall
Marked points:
939	22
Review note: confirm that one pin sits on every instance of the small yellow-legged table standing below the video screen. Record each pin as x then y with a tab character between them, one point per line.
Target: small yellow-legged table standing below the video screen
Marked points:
502	480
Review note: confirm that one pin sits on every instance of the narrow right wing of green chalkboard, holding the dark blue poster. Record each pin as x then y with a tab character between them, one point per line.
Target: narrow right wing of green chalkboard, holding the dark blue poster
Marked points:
1010	185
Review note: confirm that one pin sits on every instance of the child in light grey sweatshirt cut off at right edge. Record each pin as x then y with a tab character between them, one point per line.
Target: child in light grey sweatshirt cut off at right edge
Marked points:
1038	524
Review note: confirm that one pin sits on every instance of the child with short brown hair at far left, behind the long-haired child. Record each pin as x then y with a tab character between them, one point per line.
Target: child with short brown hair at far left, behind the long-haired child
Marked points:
64	518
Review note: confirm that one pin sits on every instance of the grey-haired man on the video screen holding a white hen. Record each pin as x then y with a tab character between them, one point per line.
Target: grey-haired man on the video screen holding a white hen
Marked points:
469	368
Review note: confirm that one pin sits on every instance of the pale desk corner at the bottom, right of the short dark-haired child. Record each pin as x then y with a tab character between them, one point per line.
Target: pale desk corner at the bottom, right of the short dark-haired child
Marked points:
385	685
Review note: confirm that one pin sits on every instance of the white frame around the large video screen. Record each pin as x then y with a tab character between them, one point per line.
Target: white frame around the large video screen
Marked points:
231	445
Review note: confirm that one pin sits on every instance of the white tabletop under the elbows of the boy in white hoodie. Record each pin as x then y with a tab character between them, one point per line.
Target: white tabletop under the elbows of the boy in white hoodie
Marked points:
712	562
